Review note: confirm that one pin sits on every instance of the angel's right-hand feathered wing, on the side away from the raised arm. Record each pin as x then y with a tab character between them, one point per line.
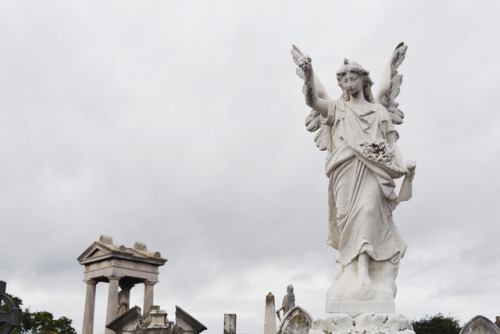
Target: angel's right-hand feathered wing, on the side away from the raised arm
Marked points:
390	84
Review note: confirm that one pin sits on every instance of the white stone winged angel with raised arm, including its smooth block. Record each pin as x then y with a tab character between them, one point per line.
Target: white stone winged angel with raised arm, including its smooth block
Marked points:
357	132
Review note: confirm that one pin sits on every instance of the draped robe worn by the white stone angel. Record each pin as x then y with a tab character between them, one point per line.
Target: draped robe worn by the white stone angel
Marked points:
361	189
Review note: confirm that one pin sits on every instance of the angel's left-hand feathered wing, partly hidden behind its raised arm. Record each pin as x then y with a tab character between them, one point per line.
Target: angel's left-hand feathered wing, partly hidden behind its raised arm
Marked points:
314	122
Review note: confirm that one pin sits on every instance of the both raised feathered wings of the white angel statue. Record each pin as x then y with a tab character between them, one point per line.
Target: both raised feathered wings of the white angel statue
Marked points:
390	86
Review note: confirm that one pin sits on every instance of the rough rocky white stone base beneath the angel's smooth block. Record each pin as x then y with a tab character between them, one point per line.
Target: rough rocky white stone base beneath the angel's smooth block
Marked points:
365	323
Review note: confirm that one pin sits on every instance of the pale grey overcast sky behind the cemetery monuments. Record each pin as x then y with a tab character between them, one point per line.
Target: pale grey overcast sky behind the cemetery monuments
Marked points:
181	124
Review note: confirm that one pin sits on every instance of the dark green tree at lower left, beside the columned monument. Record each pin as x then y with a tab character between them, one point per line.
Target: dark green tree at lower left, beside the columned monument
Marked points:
41	322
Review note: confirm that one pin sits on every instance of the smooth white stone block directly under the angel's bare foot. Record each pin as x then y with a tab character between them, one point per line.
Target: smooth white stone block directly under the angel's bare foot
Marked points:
348	295
